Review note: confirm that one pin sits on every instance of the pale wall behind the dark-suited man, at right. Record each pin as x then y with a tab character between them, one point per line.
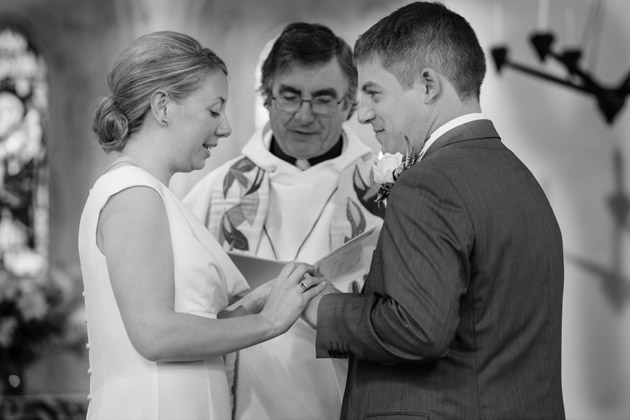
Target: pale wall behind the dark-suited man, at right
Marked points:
564	139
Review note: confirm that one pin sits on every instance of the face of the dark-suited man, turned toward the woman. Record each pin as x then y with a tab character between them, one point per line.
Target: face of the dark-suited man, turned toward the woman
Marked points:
393	111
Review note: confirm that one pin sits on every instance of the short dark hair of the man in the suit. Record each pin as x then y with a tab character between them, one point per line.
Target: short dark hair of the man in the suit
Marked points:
426	34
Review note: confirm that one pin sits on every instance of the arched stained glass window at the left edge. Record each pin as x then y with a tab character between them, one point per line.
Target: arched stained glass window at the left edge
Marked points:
23	162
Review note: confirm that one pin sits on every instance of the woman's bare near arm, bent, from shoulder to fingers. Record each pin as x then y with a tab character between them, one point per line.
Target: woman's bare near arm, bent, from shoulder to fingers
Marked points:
134	236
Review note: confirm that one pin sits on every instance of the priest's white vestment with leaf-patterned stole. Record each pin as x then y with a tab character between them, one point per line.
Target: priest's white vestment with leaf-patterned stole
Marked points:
262	205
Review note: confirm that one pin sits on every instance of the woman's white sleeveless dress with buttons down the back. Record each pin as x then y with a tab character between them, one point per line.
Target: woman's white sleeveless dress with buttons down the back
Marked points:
123	384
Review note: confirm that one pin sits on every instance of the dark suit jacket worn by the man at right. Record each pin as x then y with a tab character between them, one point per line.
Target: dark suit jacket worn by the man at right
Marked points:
460	317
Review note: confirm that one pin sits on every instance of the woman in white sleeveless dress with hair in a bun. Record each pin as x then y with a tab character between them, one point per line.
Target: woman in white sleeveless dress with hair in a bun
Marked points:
157	285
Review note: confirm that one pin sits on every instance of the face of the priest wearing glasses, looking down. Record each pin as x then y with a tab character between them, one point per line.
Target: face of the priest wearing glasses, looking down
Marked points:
307	108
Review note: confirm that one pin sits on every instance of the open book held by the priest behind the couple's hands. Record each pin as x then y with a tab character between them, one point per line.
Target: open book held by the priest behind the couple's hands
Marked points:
346	263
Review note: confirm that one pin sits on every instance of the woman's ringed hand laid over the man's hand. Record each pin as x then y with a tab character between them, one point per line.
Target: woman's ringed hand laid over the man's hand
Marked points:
290	292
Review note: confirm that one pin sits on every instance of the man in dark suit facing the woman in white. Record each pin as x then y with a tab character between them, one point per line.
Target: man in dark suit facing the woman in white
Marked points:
460	316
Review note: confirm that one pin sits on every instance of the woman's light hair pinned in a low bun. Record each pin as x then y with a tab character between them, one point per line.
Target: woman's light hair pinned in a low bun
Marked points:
170	61
